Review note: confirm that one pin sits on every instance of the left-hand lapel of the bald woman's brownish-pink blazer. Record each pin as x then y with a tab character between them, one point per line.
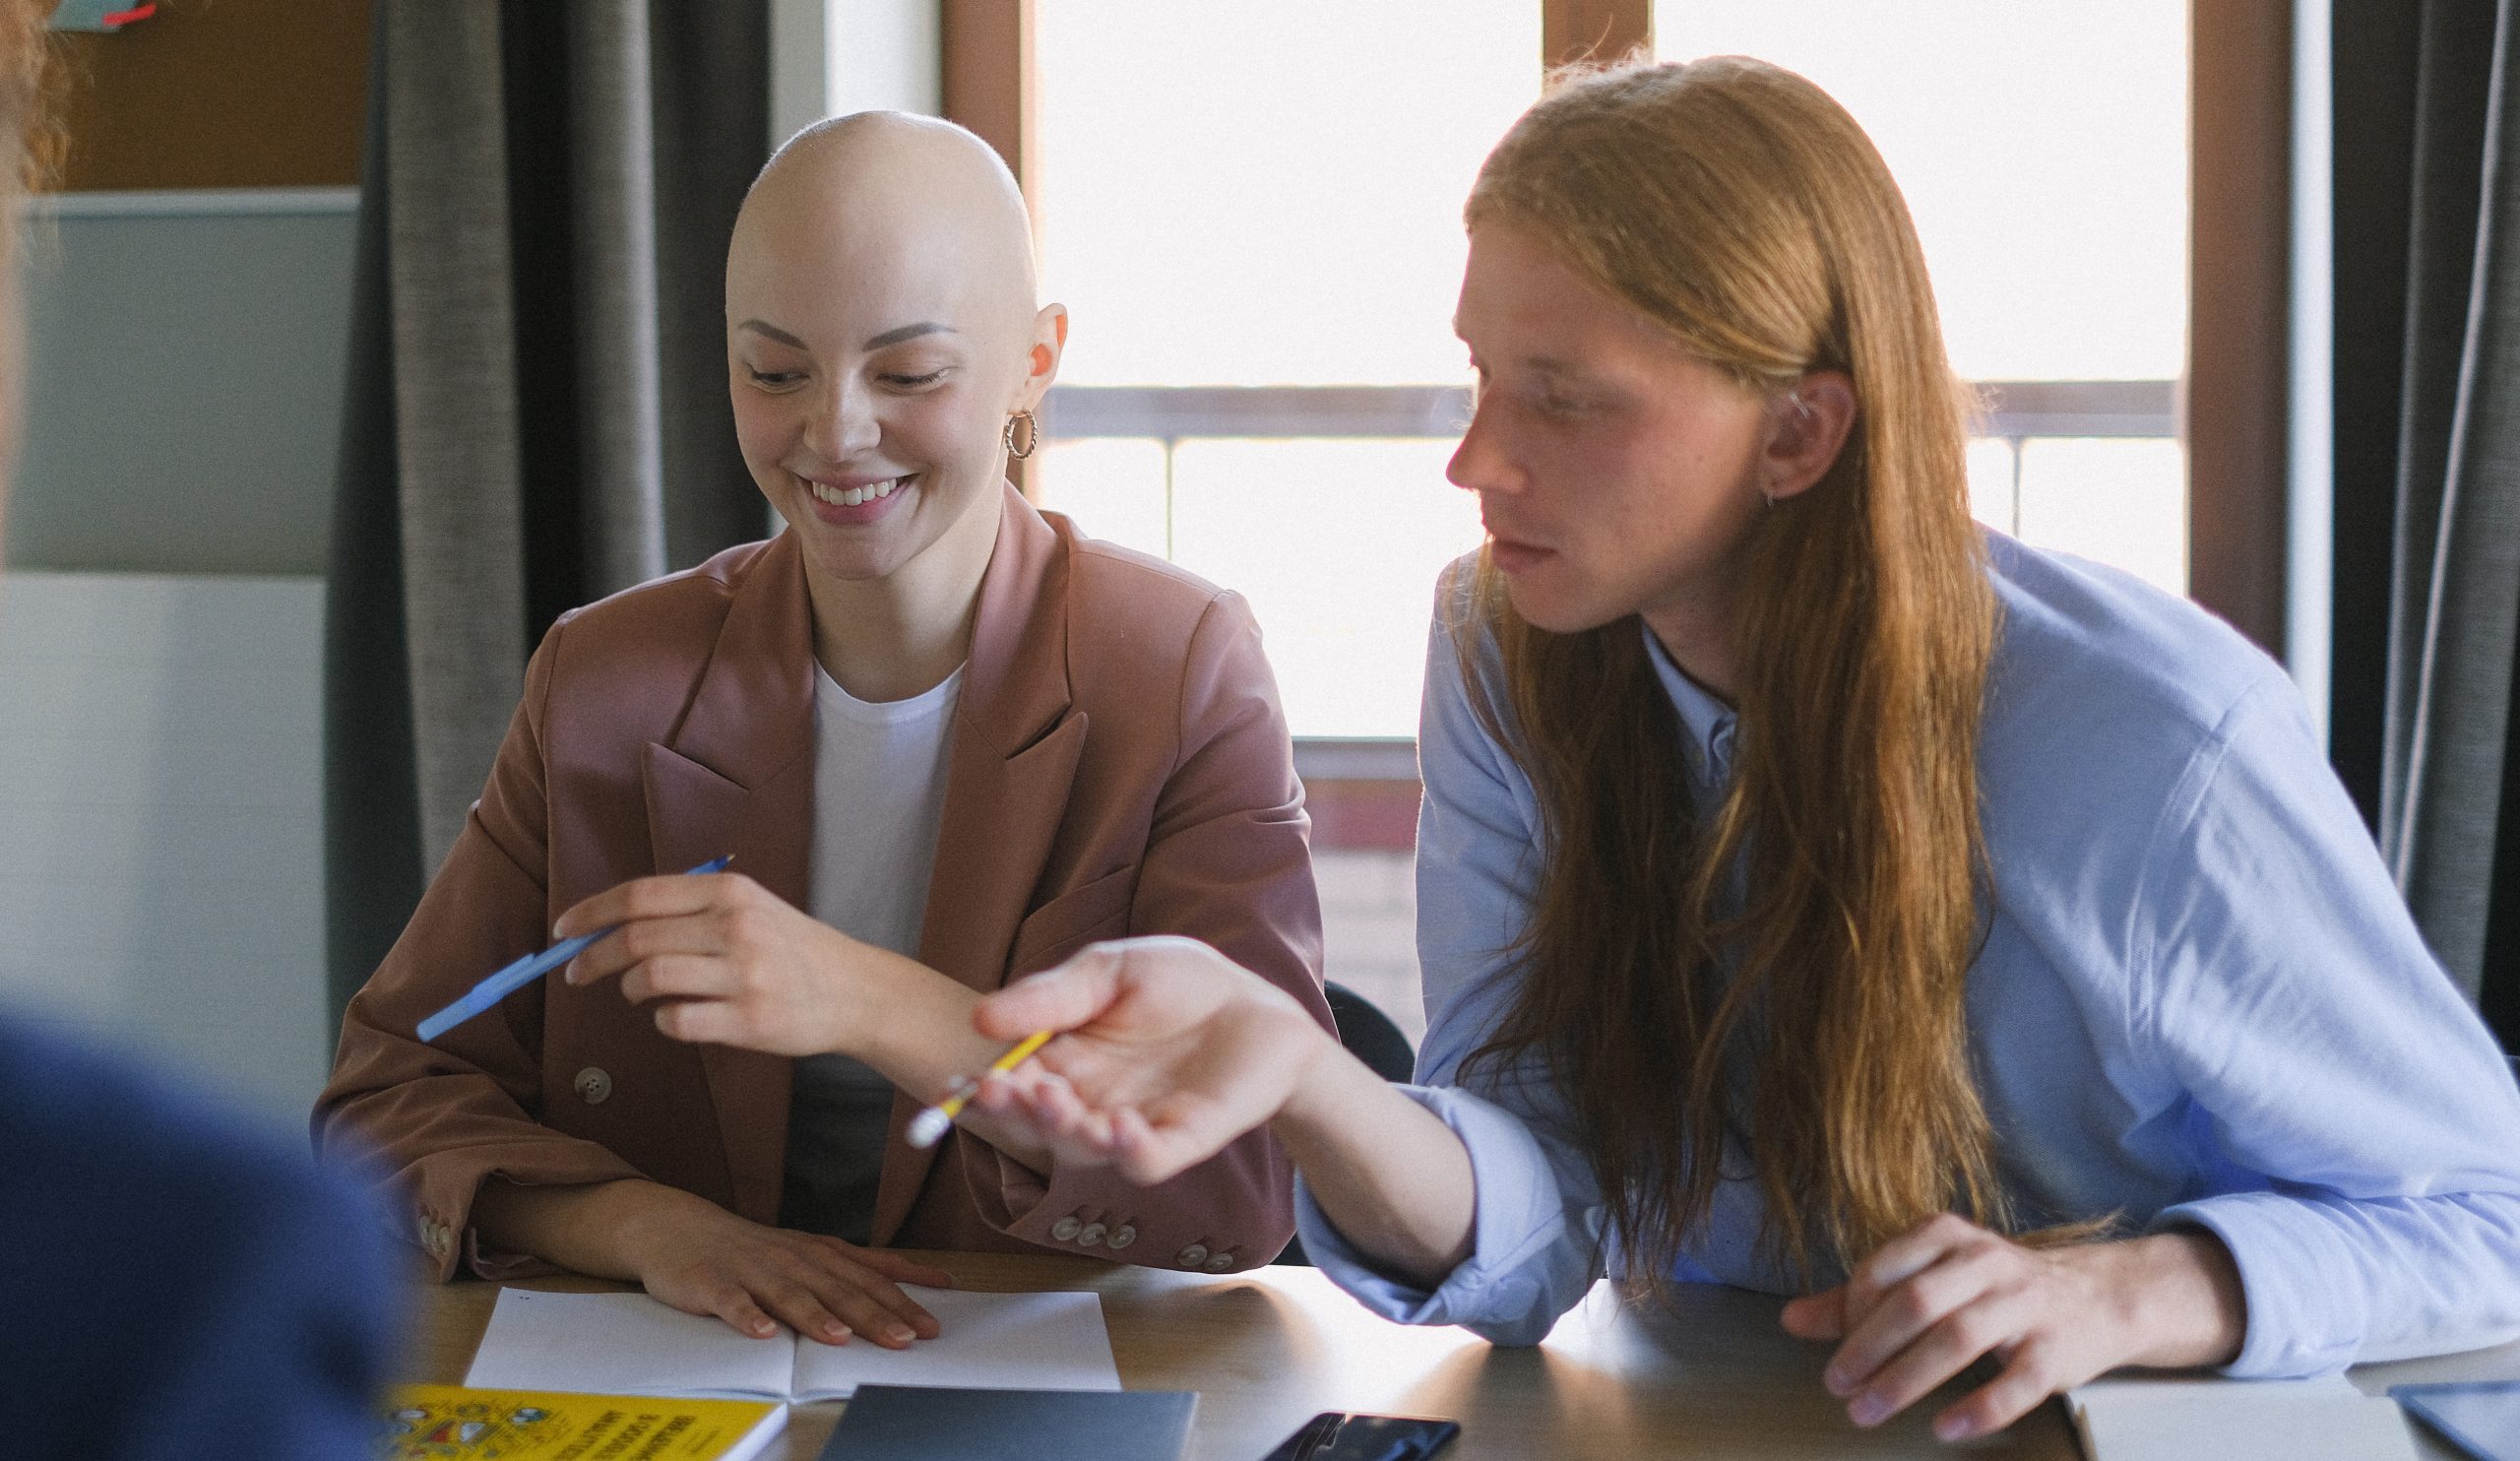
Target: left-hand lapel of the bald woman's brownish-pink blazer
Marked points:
737	780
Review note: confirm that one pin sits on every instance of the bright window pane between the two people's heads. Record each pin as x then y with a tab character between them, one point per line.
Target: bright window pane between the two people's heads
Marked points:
1264	309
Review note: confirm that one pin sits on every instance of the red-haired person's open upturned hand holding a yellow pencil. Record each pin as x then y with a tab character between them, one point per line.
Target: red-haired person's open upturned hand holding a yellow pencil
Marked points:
1165	1054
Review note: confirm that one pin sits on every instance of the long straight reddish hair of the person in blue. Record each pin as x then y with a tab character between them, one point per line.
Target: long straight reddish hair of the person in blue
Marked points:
1816	1019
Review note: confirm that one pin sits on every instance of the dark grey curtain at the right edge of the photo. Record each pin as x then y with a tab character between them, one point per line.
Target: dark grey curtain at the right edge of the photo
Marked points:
2428	467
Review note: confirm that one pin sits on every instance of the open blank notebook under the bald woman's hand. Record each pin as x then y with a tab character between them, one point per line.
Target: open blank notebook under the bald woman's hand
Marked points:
636	1346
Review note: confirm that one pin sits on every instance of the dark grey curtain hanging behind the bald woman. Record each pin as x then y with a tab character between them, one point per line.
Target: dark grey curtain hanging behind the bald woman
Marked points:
538	409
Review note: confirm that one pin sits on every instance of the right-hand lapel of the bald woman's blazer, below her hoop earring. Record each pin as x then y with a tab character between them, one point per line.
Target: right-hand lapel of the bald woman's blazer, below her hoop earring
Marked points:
1007	792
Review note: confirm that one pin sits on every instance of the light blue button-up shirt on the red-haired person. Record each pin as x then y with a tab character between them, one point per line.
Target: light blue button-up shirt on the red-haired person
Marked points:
2201	999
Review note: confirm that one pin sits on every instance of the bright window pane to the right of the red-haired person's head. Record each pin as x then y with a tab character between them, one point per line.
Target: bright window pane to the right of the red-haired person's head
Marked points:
2045	160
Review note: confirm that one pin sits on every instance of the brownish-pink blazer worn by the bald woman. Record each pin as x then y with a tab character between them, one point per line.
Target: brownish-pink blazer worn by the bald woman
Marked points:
1118	767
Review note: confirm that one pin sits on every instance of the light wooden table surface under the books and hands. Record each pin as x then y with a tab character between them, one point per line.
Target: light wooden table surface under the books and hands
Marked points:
1269	1349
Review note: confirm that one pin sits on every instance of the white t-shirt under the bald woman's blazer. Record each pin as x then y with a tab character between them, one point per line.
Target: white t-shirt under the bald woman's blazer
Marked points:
878	797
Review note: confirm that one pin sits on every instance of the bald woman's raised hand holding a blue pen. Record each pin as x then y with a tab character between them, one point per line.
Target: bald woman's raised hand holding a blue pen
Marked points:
727	961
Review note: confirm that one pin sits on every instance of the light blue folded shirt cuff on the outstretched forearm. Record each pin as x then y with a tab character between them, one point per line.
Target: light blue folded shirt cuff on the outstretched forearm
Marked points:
1506	1286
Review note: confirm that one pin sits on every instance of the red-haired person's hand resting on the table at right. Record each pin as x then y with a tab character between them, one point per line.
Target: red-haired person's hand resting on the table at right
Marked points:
1949	1293
